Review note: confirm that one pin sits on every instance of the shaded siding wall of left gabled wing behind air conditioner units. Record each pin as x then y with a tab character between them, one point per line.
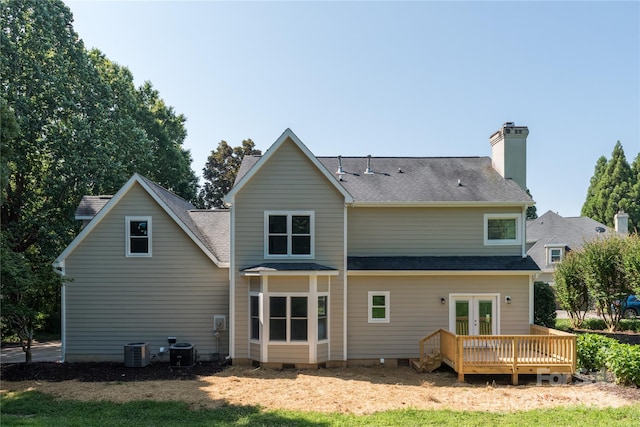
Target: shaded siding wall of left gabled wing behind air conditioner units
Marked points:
113	300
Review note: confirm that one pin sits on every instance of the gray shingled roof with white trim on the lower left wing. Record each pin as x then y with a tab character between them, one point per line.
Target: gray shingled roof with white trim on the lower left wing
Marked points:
182	212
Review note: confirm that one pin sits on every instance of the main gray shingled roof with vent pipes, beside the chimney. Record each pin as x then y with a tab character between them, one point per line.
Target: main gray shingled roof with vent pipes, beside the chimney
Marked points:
415	180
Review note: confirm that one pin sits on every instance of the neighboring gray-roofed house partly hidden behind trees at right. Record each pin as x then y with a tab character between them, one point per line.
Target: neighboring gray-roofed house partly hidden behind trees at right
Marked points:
550	237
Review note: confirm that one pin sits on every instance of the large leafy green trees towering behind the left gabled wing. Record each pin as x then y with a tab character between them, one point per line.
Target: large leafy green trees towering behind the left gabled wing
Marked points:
72	124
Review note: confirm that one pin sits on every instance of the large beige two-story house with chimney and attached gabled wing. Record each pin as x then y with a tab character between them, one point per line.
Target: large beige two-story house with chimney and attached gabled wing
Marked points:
319	260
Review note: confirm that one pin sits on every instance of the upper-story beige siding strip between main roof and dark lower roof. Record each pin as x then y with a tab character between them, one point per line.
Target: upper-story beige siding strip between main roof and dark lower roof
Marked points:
422	231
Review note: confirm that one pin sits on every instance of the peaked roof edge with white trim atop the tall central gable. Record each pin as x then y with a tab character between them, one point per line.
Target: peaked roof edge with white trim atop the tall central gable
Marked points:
258	161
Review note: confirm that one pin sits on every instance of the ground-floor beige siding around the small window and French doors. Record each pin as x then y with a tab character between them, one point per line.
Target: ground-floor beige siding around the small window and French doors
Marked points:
416	311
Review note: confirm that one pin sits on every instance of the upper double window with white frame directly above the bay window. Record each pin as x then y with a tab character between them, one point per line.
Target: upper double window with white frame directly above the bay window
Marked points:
289	234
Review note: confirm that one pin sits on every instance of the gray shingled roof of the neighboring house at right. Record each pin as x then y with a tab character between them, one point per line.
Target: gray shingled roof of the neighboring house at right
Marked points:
551	229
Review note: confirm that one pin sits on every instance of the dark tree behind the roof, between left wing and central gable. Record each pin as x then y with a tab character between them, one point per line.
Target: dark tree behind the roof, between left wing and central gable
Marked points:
221	169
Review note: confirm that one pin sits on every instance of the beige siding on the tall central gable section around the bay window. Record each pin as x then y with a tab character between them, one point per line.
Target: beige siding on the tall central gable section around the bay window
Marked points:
289	181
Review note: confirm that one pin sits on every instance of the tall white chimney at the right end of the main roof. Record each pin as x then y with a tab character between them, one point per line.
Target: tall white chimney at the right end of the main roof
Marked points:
509	152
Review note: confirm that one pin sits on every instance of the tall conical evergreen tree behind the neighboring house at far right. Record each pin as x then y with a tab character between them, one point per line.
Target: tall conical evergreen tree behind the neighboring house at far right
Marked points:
611	190
